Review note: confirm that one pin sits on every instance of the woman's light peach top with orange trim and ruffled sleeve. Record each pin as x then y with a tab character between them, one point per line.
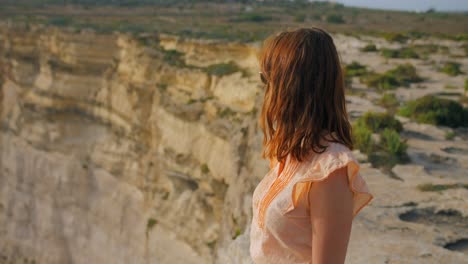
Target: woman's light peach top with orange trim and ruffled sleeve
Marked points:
281	228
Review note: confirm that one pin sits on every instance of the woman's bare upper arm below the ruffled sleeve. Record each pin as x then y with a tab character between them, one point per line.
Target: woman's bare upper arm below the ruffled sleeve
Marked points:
331	209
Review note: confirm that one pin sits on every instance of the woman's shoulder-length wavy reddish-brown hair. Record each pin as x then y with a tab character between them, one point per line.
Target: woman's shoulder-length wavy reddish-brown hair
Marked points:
304	97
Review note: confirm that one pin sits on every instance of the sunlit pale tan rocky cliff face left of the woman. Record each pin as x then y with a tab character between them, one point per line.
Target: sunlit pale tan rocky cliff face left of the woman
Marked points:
115	151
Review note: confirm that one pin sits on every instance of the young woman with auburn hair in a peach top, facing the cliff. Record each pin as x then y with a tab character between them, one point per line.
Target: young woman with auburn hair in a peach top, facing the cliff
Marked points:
304	207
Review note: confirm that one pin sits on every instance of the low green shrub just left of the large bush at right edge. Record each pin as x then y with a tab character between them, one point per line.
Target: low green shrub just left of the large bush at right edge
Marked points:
377	122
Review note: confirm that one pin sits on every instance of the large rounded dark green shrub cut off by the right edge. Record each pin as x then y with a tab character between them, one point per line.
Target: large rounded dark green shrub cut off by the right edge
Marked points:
437	111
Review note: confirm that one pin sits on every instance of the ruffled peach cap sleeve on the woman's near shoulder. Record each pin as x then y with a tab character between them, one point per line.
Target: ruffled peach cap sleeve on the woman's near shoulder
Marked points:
335	157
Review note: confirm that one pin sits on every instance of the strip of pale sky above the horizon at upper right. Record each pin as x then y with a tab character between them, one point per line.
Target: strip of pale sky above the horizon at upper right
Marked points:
410	5
